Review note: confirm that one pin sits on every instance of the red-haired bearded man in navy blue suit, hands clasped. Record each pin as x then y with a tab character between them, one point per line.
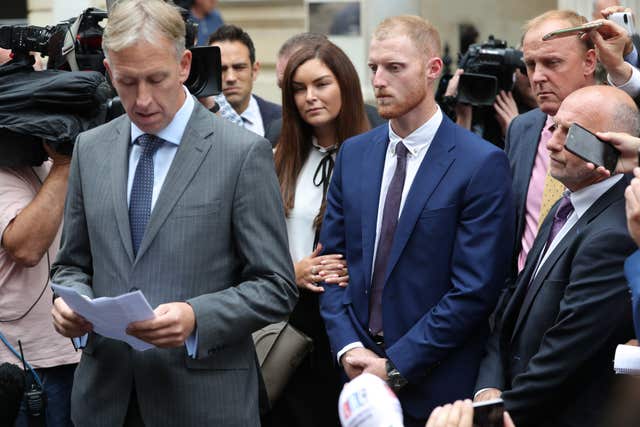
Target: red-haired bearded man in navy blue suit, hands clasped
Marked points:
421	208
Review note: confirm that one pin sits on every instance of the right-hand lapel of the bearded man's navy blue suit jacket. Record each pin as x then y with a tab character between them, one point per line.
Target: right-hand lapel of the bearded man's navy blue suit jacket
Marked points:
435	164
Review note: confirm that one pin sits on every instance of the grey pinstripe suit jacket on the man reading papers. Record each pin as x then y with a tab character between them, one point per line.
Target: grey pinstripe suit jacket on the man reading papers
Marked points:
216	239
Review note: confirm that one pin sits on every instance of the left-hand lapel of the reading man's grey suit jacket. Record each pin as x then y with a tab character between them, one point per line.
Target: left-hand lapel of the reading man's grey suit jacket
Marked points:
121	139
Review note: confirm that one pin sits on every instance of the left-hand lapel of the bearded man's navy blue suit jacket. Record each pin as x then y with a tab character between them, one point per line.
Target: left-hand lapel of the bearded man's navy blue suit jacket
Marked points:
372	169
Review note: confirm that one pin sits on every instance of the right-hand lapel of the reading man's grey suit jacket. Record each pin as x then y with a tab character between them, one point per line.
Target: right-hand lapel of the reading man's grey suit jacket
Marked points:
194	146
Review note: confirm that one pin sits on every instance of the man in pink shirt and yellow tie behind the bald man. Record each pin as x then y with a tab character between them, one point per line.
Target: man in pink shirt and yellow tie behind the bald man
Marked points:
555	68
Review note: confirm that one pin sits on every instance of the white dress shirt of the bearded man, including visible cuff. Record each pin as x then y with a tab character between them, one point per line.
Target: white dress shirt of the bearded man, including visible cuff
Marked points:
417	143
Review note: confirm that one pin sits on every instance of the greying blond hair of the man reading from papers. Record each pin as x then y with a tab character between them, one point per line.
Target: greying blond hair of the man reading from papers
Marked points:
133	21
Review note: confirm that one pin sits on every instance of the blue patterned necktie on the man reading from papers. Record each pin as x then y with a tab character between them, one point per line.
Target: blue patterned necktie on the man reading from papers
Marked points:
142	188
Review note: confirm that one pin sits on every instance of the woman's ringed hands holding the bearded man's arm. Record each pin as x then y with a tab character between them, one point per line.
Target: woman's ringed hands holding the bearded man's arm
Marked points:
330	268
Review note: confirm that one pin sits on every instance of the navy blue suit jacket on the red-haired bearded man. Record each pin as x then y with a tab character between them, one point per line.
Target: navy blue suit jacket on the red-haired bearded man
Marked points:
447	265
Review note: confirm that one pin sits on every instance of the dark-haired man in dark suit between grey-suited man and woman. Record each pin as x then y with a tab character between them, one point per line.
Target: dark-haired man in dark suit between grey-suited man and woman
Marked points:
239	70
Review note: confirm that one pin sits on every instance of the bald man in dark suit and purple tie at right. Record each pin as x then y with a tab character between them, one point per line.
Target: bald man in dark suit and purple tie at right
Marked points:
558	326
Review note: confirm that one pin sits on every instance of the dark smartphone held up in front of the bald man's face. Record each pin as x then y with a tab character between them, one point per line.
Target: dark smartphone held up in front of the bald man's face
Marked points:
590	148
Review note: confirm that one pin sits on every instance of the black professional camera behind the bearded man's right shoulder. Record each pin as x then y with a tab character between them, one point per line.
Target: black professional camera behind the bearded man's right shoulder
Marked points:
488	68
